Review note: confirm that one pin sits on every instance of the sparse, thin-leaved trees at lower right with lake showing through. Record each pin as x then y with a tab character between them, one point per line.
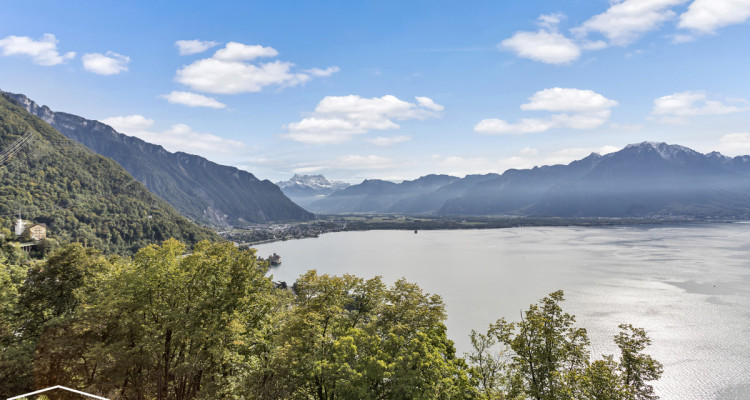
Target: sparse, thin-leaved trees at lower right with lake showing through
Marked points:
545	357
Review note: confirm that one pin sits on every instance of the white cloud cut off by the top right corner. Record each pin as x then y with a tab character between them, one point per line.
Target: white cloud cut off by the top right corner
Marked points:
706	16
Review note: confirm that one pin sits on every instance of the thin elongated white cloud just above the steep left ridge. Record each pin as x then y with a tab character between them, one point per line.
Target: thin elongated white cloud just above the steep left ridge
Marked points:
178	137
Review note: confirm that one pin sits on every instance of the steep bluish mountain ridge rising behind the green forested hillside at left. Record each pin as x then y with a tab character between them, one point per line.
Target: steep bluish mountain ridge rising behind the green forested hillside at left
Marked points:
202	190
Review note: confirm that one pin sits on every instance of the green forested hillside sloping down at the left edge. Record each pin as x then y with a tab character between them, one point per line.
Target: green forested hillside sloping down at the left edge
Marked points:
80	196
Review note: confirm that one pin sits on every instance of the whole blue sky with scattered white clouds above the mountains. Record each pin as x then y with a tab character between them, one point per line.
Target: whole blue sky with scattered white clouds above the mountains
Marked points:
390	89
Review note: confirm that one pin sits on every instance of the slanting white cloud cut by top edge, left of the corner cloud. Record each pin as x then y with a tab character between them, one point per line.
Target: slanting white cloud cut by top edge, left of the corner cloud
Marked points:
626	21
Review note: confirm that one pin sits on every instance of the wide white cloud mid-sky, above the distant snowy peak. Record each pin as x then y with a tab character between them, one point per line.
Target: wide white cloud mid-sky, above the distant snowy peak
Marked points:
337	119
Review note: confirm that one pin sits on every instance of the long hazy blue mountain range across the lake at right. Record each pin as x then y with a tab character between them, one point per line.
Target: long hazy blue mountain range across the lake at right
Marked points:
646	179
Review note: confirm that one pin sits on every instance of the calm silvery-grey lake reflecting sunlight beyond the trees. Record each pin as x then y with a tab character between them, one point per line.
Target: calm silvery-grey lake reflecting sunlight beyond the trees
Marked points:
687	285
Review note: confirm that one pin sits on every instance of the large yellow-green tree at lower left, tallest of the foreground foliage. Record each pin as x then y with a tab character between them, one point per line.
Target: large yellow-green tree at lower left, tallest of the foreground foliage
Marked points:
174	326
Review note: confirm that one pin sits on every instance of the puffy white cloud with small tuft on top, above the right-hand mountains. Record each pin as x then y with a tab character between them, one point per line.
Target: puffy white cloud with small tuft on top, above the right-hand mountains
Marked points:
546	45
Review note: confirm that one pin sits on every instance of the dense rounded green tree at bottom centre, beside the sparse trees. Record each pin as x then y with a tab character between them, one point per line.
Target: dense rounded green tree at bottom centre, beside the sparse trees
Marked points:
345	337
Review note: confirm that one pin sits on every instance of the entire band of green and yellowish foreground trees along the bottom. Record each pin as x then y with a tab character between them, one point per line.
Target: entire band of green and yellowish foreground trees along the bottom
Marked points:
211	325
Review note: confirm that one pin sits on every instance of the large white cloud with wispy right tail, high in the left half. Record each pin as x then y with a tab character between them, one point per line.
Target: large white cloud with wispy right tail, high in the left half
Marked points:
231	70
